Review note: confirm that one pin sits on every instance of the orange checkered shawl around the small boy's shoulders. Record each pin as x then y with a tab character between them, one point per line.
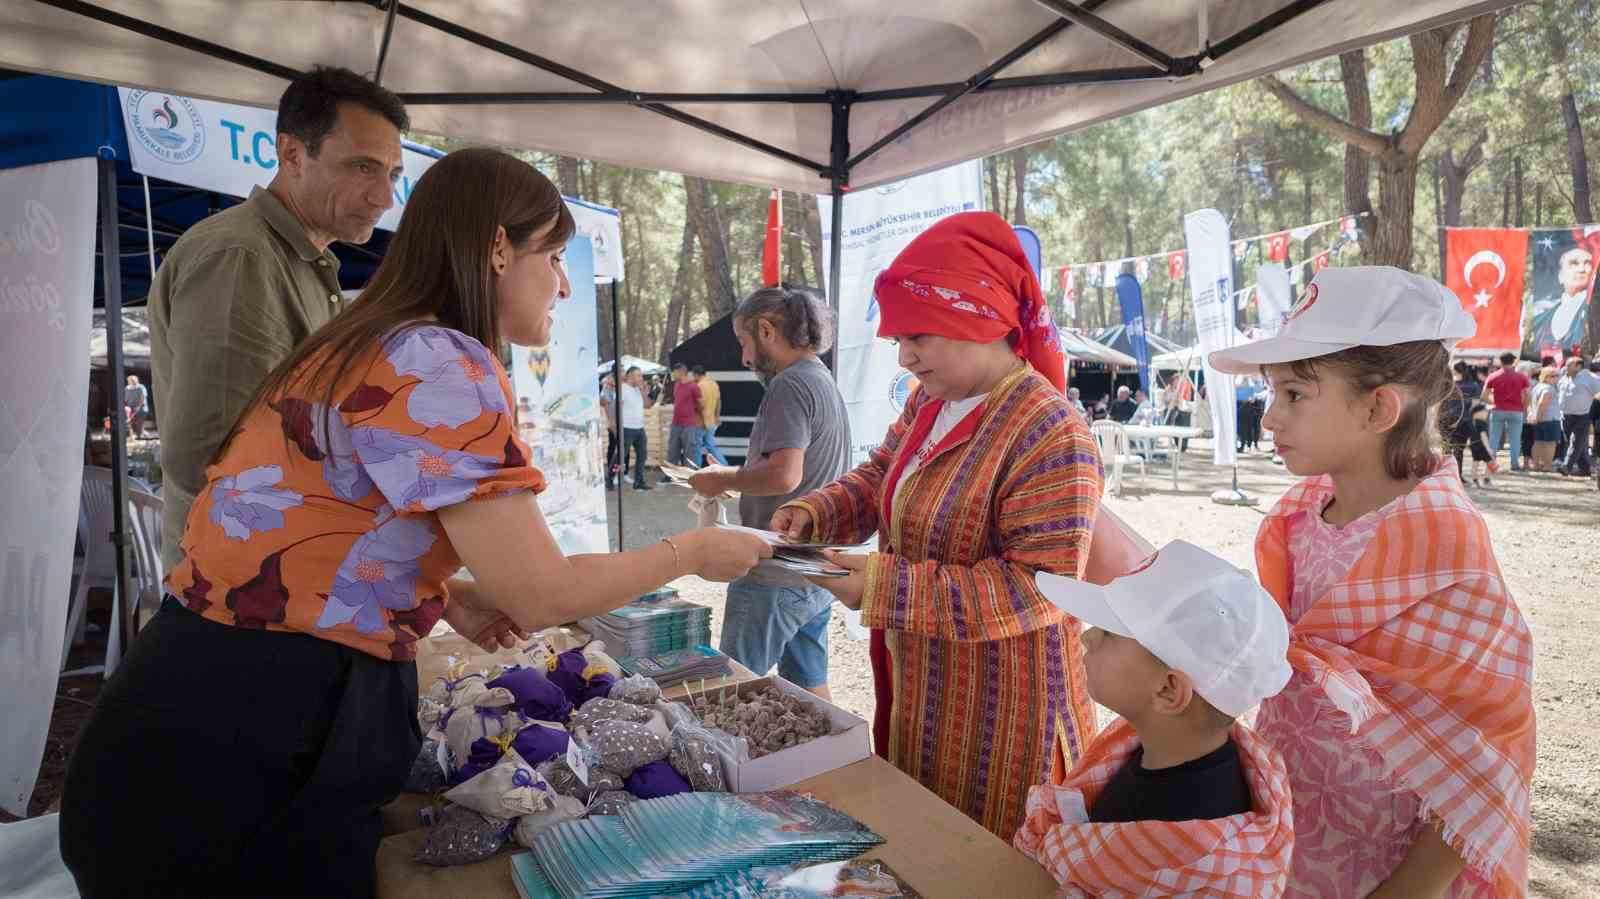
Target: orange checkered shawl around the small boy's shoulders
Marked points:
1244	855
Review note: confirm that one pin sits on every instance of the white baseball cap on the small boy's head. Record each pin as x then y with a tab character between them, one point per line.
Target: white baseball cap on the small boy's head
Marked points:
1196	613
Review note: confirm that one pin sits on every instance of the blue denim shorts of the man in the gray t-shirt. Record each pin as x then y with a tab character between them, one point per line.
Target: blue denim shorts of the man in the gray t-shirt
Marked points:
783	626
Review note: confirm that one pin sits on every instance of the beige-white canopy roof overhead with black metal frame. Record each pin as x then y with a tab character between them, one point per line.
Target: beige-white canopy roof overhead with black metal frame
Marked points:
788	94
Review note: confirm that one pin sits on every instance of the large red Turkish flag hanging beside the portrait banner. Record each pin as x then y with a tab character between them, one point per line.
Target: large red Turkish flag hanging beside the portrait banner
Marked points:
1486	266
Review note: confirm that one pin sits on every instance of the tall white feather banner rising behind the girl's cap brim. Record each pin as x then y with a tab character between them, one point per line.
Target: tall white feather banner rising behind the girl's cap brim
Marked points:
1212	290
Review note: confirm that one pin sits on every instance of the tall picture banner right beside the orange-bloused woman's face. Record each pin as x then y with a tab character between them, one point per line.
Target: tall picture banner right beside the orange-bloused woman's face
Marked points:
559	412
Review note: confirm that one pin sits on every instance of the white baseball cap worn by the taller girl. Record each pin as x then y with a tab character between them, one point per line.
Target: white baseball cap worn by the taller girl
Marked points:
1362	306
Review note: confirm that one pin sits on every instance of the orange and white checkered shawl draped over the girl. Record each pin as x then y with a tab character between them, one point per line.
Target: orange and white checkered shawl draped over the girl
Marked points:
1425	650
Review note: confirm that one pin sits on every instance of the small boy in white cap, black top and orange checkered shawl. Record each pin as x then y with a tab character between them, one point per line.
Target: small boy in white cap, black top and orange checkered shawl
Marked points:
1177	797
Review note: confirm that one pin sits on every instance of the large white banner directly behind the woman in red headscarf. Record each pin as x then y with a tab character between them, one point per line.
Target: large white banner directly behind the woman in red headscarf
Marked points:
878	225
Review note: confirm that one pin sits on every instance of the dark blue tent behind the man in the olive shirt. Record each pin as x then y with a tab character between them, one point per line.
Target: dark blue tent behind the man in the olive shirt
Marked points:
46	119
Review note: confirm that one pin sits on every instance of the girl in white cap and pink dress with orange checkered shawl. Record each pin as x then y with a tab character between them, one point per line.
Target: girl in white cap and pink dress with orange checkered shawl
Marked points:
1407	727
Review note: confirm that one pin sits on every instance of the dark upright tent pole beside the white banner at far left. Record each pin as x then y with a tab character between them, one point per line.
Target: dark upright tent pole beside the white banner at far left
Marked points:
111	271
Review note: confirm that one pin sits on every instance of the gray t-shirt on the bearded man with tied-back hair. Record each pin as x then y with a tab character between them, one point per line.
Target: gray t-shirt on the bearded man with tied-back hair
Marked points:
802	410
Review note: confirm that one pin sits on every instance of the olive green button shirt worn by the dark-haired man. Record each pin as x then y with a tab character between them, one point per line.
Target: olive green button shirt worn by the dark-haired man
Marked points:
234	297
